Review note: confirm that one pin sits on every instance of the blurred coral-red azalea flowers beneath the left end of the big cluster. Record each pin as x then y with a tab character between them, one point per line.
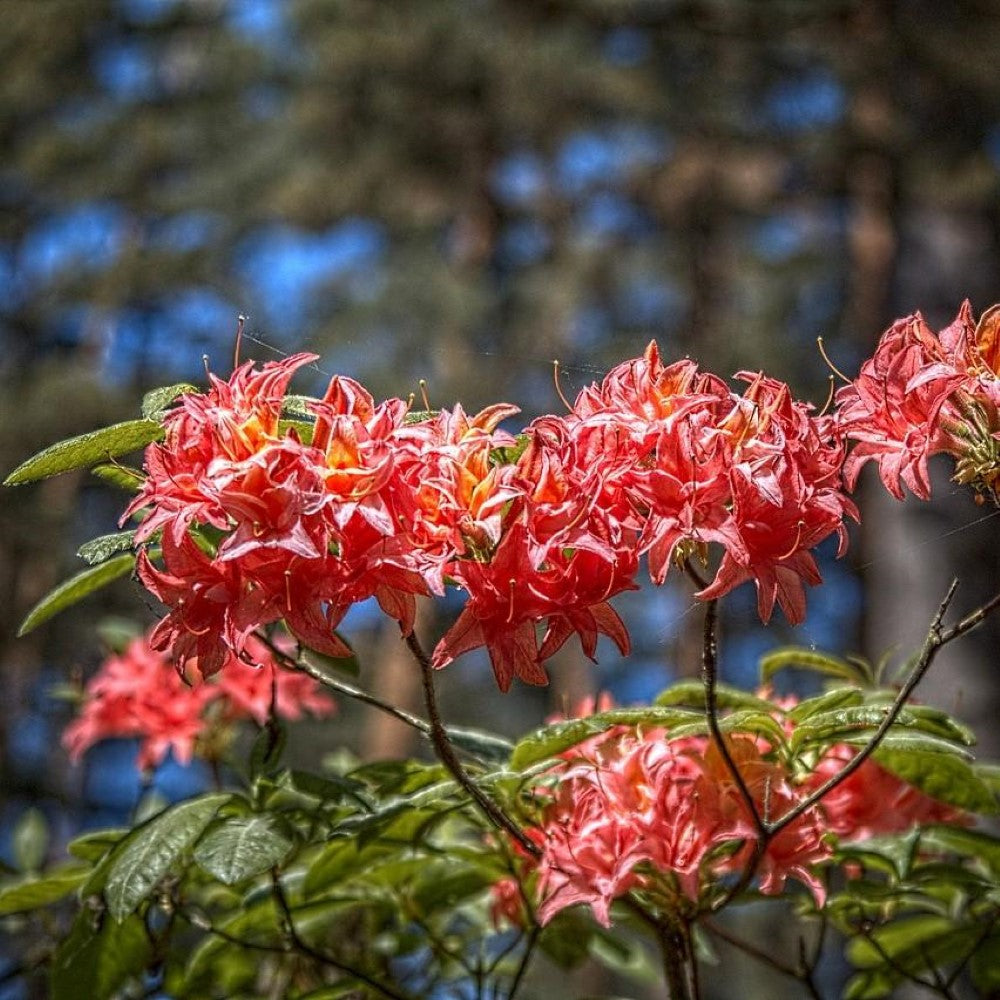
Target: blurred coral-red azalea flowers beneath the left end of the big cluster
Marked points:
139	694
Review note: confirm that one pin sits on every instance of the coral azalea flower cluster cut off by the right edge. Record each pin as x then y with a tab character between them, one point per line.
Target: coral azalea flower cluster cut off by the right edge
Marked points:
924	393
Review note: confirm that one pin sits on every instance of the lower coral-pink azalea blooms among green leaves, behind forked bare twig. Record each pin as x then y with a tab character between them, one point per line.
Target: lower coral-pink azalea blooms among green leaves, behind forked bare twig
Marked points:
633	809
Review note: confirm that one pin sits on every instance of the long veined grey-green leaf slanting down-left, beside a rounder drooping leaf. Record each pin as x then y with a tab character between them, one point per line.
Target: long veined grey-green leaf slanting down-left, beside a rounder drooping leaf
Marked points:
146	855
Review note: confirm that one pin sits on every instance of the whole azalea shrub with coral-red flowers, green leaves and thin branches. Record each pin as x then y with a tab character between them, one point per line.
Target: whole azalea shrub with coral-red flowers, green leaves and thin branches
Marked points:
616	834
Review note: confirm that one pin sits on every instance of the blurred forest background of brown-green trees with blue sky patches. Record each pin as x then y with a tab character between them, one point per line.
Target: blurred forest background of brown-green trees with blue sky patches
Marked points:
460	191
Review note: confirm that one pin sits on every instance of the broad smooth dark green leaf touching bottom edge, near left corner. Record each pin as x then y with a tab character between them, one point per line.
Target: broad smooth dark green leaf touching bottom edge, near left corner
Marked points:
95	962
